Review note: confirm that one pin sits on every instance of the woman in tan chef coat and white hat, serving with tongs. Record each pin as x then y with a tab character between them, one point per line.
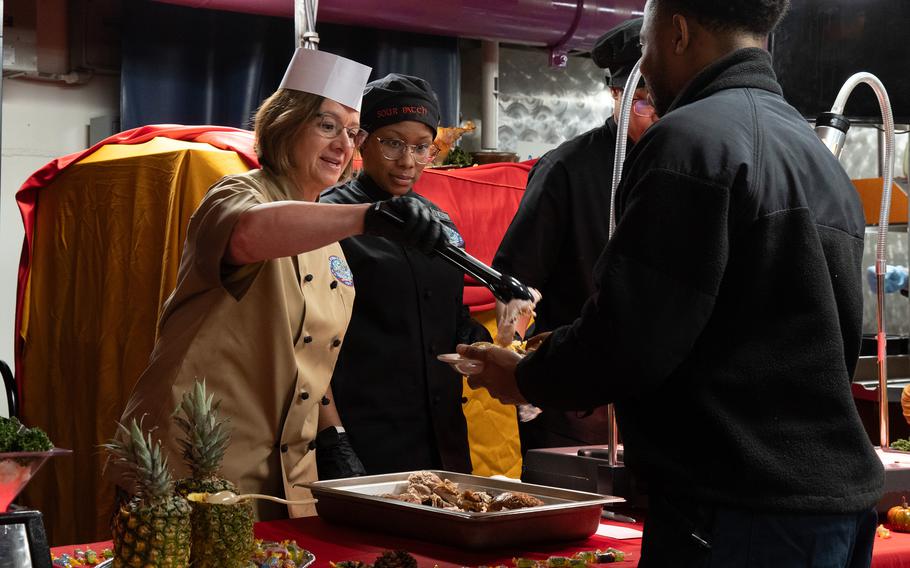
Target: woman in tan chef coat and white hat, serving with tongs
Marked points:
264	294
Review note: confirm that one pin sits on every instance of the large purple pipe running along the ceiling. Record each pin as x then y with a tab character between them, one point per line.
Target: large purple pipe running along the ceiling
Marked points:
571	25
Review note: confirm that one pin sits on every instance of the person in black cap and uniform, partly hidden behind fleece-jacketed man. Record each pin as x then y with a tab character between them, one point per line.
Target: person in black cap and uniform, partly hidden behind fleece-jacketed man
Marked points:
561	227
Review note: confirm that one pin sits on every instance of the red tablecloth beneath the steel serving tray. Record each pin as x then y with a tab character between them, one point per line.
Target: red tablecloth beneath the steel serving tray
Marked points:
334	543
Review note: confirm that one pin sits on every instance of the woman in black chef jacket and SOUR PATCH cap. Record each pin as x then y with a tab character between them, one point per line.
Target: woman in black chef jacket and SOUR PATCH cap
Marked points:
401	409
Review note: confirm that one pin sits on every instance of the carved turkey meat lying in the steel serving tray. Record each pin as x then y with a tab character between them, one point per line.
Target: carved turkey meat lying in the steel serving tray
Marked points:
426	488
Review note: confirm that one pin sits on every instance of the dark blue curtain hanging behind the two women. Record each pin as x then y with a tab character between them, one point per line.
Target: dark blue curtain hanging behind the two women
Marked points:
197	66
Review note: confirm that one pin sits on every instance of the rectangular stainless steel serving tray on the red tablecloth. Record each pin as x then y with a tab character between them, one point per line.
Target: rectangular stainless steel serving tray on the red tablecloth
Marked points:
565	514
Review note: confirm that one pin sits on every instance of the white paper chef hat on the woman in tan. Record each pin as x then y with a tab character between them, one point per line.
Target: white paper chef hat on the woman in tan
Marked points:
328	75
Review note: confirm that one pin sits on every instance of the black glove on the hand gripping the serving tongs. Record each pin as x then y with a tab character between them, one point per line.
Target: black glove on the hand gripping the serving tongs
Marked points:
419	227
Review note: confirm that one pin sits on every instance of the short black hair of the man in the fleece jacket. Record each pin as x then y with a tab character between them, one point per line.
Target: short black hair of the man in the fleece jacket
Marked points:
758	17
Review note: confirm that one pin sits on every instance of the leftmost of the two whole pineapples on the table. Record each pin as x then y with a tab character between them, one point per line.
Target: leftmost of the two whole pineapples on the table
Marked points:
153	528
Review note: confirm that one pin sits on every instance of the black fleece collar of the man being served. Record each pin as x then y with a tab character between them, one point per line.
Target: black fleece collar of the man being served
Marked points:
748	68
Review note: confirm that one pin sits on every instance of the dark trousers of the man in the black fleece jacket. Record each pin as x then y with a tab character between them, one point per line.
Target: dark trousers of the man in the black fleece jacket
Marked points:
681	534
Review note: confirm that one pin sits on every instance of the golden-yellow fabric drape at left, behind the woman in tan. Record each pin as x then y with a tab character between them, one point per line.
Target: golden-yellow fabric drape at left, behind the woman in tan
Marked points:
109	235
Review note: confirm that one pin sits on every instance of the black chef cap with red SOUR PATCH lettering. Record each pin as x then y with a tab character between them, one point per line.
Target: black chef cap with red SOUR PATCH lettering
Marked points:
396	98
